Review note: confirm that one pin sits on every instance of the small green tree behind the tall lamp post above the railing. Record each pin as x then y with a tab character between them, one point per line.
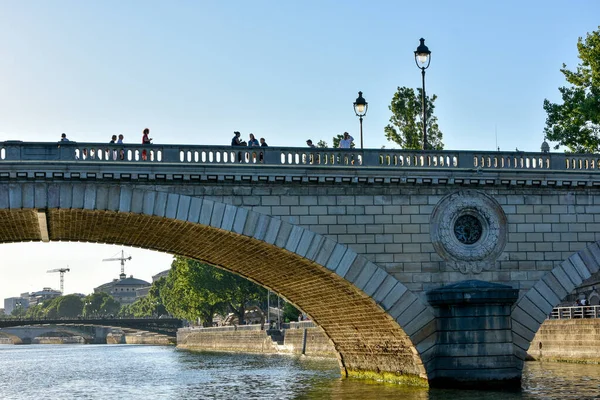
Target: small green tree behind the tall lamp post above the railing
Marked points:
406	123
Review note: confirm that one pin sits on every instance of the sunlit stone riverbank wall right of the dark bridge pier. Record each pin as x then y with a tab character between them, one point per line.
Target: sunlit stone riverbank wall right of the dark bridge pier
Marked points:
567	340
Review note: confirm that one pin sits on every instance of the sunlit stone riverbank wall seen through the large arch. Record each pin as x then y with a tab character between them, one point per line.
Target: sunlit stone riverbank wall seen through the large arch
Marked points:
298	339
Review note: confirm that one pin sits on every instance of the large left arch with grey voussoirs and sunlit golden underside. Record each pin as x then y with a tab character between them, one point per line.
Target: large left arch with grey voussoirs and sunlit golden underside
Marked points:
378	327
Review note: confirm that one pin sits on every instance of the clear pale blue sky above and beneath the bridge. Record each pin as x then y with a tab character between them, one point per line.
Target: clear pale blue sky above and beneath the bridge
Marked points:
195	71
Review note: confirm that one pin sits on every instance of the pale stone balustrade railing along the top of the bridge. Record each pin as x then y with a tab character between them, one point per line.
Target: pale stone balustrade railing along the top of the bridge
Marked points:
291	156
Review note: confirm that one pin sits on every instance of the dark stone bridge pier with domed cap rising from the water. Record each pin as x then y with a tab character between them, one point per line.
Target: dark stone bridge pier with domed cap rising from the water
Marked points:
474	346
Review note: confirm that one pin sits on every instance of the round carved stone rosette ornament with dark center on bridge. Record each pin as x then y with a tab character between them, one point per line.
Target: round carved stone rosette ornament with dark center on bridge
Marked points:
469	231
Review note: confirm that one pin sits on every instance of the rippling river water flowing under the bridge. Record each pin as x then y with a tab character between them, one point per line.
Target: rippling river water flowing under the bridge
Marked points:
152	372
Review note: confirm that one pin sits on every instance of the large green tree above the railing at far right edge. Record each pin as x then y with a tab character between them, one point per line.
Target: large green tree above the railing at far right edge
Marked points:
576	122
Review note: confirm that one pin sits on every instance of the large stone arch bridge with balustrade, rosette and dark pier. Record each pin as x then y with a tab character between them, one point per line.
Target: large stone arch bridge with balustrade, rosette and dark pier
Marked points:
436	266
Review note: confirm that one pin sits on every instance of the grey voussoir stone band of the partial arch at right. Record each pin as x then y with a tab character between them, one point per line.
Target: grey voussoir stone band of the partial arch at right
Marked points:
532	309
